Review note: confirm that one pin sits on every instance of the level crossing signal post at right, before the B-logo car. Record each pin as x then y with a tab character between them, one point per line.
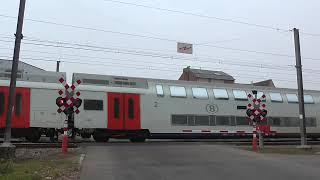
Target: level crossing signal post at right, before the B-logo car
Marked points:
257	113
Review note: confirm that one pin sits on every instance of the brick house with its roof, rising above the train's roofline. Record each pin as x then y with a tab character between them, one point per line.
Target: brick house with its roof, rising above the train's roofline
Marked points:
200	75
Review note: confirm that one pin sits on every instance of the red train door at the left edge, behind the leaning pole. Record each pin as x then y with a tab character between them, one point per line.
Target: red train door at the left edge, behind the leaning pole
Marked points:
21	114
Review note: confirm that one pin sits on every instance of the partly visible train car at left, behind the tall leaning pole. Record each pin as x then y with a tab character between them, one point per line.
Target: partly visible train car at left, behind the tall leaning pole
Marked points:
35	111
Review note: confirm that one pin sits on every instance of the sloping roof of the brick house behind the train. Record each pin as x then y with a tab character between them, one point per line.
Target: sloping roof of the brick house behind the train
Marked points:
200	73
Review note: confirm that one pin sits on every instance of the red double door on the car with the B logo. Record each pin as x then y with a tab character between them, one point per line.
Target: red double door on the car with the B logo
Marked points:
123	111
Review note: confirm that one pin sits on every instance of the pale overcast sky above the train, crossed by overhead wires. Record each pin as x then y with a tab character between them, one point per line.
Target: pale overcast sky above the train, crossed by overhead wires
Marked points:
218	45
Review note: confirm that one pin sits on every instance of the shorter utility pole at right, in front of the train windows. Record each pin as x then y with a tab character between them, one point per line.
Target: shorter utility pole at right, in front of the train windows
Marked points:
300	89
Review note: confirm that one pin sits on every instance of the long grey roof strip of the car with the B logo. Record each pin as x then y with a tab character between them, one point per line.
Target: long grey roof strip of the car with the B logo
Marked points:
138	82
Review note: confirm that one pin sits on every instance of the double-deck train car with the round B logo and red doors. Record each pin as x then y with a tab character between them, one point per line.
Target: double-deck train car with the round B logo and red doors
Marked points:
140	108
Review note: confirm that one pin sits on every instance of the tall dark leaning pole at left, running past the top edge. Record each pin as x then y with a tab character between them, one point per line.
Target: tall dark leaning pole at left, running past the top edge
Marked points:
7	149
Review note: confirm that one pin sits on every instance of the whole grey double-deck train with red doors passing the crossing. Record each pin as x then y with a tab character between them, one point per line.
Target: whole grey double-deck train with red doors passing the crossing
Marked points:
140	108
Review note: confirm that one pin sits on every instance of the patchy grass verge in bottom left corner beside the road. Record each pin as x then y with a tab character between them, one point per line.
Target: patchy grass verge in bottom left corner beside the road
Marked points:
51	167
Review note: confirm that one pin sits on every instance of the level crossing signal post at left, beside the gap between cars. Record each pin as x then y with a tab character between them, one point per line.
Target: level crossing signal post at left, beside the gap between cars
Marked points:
68	102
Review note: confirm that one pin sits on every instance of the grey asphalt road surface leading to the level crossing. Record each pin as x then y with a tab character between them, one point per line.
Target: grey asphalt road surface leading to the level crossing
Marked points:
183	161
